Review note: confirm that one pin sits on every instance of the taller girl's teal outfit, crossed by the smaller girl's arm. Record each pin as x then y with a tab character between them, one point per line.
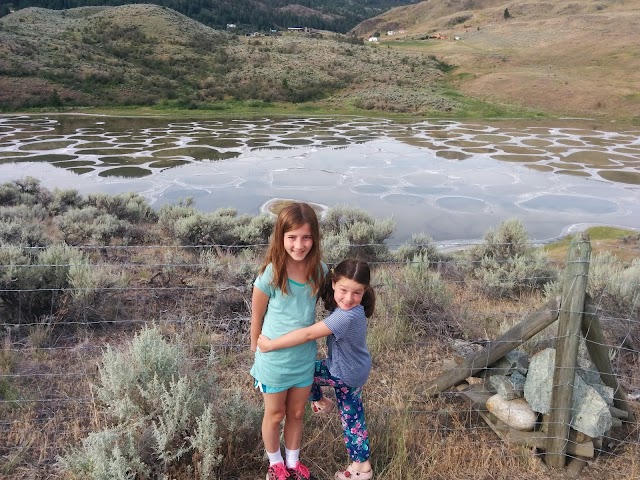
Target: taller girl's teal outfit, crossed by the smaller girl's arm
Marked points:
291	366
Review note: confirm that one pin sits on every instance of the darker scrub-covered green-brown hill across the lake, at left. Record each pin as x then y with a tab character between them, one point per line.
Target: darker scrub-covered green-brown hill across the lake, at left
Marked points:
149	55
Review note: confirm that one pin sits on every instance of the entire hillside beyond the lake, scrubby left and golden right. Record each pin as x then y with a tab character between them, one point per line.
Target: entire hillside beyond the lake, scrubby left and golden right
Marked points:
510	59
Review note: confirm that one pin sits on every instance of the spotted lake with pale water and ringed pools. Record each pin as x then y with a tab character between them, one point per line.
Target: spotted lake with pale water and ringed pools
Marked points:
452	180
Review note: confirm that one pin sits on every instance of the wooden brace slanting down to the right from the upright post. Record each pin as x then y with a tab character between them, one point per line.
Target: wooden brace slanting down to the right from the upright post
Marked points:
599	353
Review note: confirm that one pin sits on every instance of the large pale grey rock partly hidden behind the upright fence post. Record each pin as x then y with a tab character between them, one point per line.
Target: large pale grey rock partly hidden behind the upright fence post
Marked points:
589	411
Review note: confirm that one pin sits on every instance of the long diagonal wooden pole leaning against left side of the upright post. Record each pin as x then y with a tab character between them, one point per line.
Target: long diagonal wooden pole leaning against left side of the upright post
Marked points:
520	333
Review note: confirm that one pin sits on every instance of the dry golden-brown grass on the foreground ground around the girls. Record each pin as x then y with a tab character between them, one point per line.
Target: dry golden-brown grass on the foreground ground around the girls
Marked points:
412	436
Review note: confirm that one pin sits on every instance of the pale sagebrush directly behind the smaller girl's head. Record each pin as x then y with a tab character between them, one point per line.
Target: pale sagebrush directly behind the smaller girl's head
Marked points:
354	233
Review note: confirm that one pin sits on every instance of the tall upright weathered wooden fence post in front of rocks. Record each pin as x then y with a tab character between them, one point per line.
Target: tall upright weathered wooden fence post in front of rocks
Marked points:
570	319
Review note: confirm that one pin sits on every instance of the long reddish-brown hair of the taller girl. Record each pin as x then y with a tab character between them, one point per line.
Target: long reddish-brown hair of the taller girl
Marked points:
292	217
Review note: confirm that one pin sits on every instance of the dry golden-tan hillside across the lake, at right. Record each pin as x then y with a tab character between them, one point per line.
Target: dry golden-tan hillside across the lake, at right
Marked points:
563	57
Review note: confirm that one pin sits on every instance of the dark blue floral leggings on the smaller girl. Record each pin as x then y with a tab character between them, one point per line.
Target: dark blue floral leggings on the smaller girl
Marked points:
356	436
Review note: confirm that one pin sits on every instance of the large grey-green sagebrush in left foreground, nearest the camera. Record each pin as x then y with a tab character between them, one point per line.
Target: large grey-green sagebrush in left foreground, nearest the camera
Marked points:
162	417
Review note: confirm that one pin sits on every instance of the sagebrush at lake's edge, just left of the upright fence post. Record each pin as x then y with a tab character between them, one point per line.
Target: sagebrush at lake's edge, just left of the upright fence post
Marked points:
507	264
